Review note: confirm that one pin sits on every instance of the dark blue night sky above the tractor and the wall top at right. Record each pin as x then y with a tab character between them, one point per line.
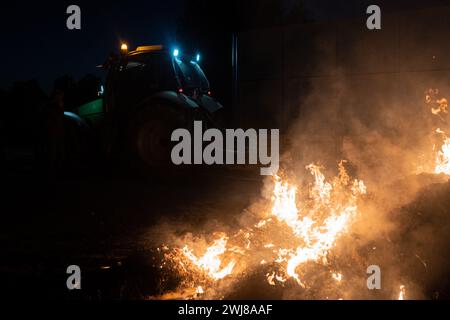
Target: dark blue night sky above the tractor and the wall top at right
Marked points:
36	44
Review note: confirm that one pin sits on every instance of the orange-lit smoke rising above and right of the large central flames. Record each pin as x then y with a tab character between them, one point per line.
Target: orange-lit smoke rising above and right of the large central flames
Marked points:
384	128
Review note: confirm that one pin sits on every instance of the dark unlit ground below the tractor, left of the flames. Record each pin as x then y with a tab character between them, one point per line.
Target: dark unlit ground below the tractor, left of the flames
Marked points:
101	222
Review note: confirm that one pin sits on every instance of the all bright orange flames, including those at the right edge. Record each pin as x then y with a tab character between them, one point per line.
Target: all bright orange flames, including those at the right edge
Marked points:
294	234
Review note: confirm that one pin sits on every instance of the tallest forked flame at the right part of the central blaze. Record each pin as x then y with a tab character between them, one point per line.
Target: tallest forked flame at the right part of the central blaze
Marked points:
337	214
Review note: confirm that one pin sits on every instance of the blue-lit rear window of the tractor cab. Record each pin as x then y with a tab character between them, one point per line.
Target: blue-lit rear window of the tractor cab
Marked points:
191	75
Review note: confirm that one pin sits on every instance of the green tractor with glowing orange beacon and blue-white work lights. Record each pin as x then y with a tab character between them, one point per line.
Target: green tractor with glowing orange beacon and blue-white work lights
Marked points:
149	92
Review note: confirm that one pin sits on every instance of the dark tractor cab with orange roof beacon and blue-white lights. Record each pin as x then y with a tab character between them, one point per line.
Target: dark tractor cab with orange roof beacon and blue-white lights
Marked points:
136	74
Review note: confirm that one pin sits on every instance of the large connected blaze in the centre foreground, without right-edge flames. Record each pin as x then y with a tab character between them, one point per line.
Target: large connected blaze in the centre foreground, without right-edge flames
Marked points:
291	233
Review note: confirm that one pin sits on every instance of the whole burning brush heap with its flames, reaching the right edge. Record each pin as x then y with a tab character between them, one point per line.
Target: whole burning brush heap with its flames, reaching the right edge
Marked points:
312	242
